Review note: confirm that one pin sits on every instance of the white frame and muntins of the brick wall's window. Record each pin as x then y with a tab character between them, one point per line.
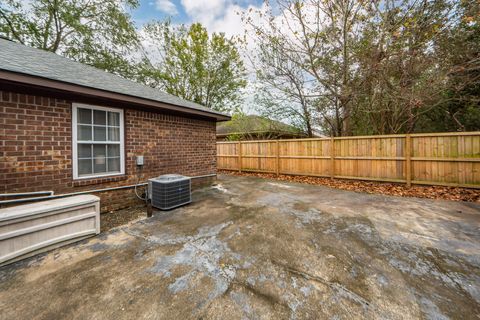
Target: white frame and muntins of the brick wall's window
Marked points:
75	141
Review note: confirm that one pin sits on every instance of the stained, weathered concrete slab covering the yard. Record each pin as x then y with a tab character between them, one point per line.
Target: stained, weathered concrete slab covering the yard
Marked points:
257	249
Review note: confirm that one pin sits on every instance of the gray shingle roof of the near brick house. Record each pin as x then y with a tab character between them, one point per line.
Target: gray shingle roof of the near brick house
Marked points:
15	57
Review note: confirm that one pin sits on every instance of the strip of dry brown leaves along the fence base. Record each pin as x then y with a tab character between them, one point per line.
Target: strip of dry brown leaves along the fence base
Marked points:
393	189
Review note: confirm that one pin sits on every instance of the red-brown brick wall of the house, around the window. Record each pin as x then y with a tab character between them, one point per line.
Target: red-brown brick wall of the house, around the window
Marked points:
36	148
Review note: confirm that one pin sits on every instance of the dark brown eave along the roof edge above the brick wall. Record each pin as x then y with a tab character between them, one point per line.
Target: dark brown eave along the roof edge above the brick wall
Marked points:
26	79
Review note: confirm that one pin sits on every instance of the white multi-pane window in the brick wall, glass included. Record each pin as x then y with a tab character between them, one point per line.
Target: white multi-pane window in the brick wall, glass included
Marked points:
98	144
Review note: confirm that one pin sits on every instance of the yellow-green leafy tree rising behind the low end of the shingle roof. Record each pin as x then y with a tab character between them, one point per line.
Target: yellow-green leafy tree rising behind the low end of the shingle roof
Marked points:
191	64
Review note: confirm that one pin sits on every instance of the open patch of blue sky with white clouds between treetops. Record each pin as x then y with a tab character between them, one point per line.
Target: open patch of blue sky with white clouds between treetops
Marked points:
215	15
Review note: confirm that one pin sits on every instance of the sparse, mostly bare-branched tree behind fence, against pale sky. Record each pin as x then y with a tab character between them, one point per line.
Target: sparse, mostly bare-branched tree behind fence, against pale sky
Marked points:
319	38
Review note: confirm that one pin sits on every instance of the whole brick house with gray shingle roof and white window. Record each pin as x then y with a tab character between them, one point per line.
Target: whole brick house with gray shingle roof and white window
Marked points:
68	128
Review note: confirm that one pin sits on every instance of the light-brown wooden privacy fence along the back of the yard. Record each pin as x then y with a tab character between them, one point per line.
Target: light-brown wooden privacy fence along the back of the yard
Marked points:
451	159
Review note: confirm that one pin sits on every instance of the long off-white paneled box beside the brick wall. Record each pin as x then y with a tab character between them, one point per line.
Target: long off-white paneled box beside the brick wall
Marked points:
29	229
